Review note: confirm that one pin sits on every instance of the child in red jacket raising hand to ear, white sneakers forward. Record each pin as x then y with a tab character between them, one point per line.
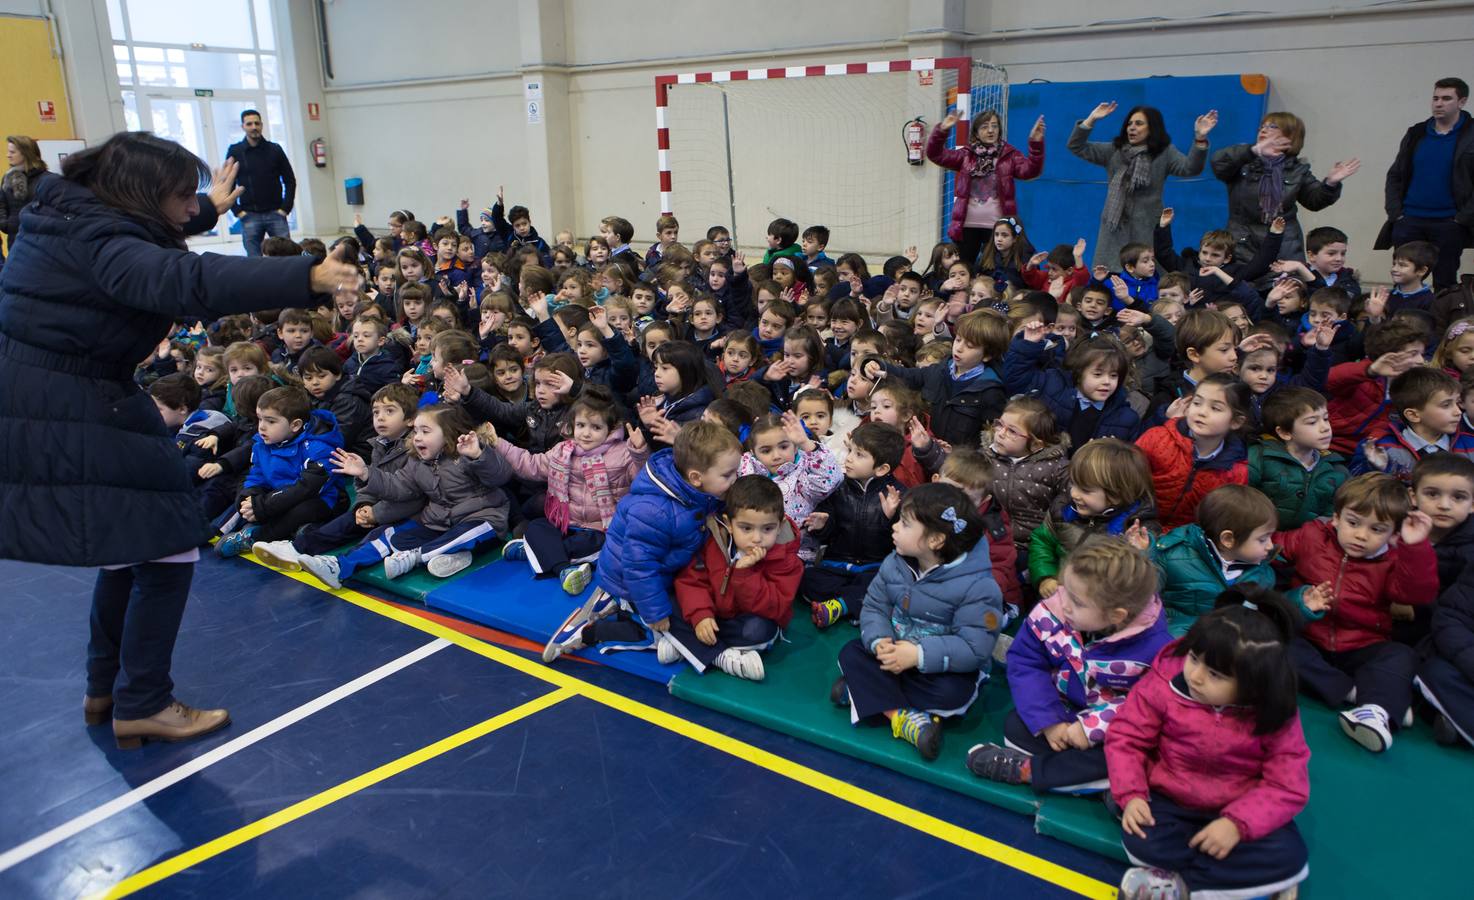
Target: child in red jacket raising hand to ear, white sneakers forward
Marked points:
1348	655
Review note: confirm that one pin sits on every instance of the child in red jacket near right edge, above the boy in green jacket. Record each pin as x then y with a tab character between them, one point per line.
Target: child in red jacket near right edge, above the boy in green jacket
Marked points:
1357	393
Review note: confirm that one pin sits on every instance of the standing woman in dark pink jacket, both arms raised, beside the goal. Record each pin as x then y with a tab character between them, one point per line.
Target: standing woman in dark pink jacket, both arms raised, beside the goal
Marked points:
987	170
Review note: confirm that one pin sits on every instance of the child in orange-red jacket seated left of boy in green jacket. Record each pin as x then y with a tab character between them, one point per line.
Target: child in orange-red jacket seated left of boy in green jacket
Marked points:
1199	447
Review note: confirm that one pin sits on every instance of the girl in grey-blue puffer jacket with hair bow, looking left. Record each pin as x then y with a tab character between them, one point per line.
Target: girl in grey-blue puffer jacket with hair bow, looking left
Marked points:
929	625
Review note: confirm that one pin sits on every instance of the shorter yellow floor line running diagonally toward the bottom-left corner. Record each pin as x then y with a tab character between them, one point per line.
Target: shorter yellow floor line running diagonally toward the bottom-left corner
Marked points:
250	833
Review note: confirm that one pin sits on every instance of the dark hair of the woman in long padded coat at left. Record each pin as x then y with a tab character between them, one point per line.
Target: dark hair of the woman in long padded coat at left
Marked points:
135	172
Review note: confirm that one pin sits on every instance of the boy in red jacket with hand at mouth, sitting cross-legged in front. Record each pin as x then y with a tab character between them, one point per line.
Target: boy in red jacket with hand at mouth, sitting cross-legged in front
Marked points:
738	593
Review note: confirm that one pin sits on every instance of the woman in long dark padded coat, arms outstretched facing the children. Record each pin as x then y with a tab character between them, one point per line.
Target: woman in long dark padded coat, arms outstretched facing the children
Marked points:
89	475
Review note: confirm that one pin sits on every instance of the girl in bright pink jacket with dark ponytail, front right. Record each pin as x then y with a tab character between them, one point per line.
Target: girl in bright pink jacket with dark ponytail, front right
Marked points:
1208	762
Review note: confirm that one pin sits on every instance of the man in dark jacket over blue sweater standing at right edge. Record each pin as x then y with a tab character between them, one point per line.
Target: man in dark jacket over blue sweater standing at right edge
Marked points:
1431	185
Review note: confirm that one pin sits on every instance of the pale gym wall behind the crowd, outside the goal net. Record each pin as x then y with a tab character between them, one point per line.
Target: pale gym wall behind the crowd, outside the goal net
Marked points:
427	101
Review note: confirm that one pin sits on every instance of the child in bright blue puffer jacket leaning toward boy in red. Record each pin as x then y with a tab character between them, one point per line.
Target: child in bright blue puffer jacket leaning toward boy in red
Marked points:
655	534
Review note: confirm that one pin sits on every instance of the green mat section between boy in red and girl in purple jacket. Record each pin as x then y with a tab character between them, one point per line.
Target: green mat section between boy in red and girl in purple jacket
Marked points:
795	700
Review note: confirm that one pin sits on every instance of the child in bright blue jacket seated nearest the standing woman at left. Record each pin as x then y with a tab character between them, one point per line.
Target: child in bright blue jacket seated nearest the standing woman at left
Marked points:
290	484
